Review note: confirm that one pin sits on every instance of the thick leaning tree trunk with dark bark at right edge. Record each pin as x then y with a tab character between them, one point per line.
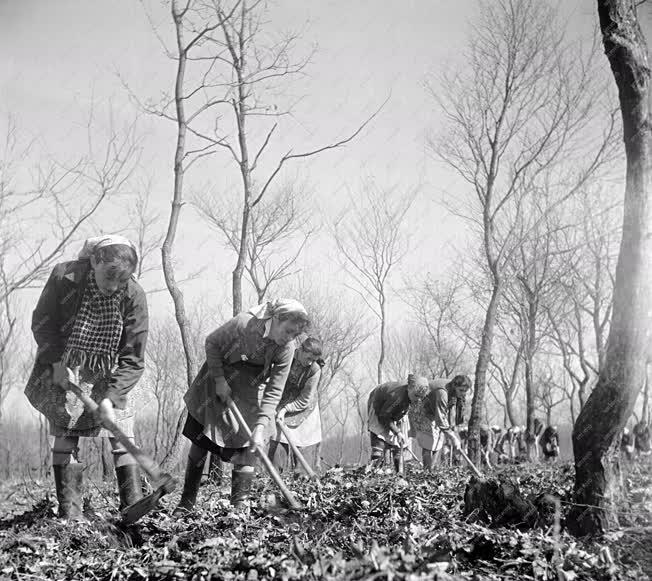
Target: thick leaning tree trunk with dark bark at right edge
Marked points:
612	401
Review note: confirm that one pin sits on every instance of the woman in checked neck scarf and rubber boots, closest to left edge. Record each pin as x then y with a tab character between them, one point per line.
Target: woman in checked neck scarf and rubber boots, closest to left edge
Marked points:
91	318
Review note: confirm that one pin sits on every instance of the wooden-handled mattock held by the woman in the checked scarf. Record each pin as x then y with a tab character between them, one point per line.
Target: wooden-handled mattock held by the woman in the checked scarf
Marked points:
161	481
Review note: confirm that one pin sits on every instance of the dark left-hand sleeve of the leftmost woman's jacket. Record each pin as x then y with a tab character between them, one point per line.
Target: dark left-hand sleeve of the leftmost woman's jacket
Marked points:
50	345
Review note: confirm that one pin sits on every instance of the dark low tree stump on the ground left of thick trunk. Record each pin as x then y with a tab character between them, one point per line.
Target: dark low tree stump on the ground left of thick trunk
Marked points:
498	502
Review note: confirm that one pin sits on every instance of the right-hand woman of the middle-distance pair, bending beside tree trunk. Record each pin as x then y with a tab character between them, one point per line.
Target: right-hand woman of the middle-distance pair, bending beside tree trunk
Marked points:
436	407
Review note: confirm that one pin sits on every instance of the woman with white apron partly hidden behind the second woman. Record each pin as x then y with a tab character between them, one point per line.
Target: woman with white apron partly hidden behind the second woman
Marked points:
298	407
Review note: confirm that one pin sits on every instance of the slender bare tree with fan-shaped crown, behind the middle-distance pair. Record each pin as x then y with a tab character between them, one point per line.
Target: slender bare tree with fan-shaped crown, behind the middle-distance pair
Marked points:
372	239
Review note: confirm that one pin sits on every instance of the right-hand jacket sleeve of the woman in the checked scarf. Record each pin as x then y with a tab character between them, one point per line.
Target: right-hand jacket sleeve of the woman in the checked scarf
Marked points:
131	358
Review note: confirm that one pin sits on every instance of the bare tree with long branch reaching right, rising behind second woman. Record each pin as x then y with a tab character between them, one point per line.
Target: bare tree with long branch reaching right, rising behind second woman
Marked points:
240	68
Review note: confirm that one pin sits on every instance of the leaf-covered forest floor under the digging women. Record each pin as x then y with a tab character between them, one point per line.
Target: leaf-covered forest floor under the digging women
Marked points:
357	525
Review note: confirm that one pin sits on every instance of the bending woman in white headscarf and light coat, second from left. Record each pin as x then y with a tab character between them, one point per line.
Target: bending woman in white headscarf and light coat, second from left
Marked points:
248	359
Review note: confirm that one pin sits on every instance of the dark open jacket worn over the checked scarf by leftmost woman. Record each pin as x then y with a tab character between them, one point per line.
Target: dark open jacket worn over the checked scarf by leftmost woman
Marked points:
54	317
